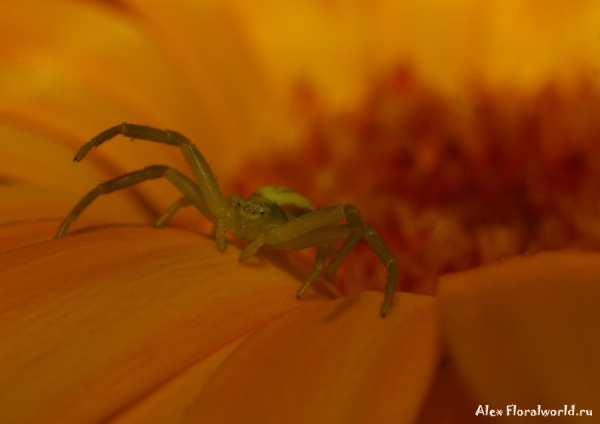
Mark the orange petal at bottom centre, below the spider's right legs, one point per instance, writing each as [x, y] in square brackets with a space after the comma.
[335, 362]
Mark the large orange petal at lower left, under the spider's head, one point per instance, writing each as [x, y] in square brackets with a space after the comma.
[92, 323]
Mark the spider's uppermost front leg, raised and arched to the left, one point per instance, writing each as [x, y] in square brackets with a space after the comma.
[207, 183]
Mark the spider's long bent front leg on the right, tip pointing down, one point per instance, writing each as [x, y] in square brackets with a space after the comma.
[316, 225]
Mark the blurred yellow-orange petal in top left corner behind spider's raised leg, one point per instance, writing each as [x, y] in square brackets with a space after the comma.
[73, 69]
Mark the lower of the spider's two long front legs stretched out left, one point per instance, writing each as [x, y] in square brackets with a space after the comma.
[180, 181]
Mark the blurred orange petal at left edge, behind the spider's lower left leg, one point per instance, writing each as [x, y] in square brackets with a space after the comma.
[39, 181]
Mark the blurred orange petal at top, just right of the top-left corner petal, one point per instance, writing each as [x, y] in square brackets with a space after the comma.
[235, 106]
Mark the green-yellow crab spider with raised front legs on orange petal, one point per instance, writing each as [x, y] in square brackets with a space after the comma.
[276, 216]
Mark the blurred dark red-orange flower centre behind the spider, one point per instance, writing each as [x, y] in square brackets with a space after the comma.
[452, 184]
